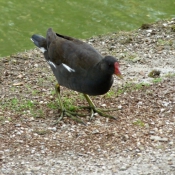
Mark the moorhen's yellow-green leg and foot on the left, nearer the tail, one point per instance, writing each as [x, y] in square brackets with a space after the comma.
[63, 110]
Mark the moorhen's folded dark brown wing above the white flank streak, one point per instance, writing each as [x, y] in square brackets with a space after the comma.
[72, 52]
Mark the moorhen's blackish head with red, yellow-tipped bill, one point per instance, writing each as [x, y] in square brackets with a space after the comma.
[111, 65]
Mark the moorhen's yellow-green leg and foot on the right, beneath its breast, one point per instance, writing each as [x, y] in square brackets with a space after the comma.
[94, 109]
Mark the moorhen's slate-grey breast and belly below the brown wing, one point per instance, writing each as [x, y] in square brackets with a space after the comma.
[83, 81]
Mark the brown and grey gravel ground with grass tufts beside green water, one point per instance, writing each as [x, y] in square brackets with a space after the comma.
[140, 141]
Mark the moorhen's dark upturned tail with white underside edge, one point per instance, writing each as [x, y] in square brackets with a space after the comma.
[40, 42]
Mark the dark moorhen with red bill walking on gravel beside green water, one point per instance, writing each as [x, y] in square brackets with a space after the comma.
[77, 66]
